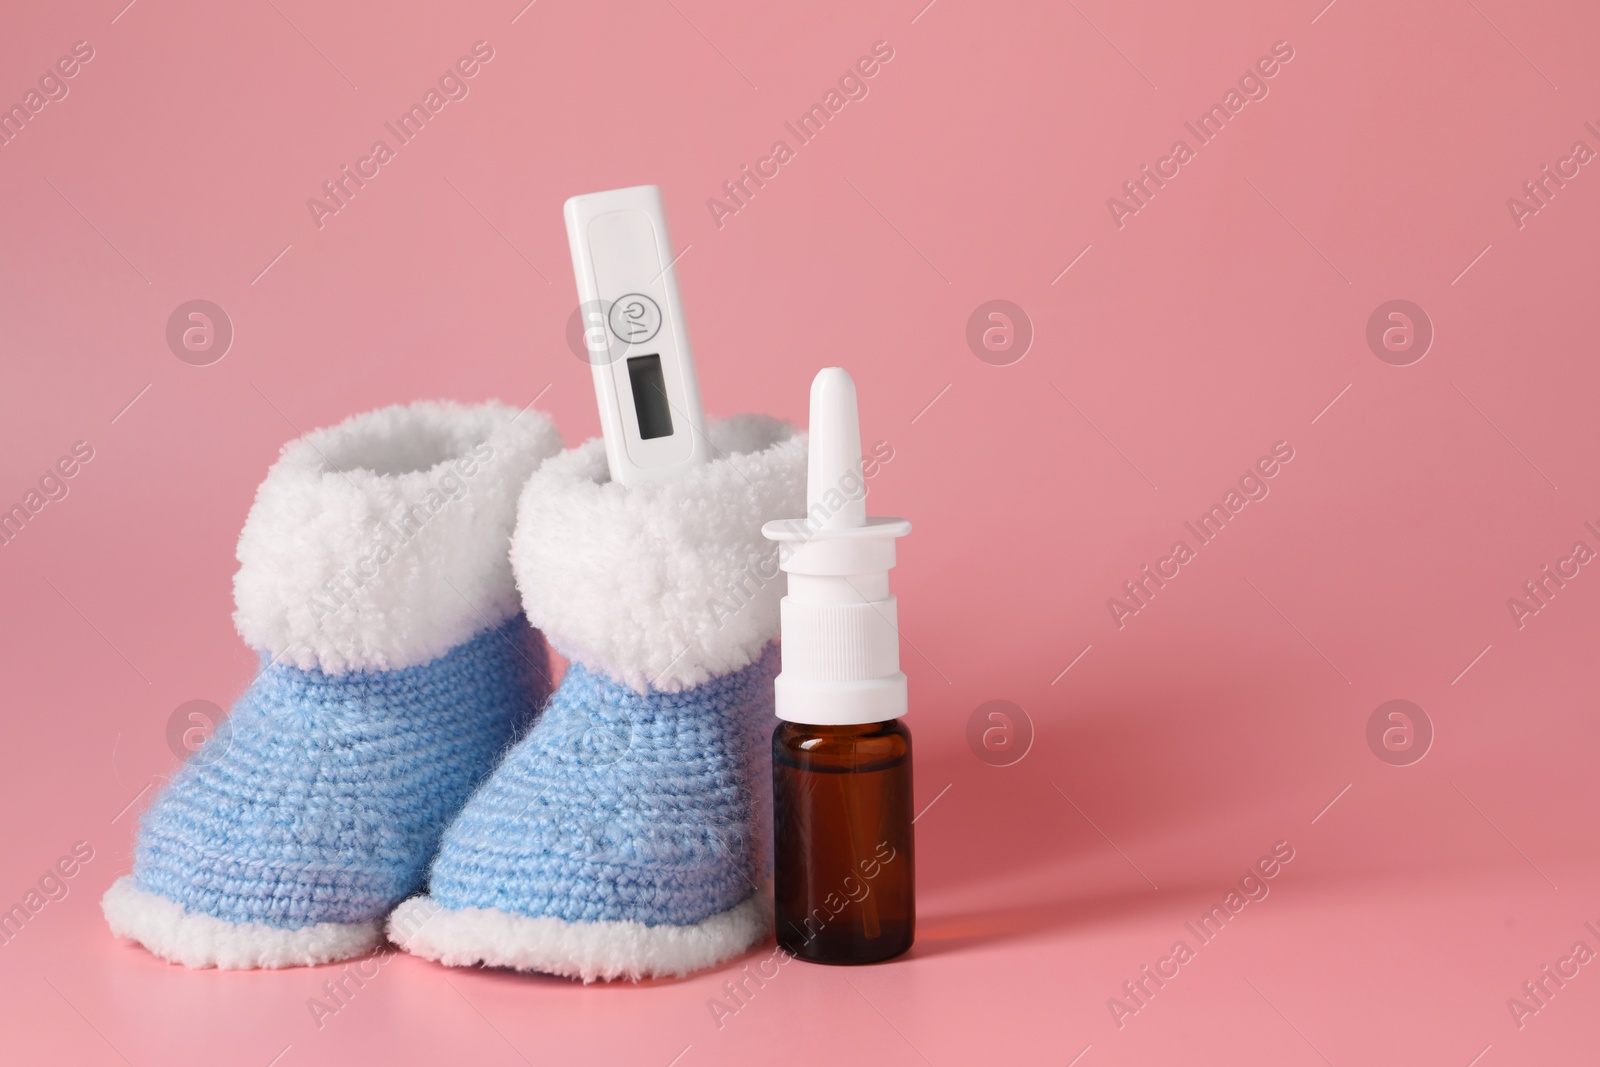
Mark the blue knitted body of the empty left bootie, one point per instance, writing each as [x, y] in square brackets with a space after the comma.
[334, 789]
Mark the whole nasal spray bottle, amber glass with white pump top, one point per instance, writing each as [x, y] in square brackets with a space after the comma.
[842, 799]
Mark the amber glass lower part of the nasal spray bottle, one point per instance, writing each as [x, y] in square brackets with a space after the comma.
[846, 874]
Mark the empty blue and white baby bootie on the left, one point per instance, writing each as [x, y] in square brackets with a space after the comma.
[396, 668]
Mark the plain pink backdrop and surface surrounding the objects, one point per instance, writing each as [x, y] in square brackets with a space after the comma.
[1175, 351]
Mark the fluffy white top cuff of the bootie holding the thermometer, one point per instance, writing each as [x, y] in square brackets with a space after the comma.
[662, 585]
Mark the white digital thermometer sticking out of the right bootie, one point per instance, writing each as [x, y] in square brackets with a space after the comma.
[634, 334]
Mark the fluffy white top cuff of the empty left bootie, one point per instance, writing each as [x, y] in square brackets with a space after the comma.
[380, 543]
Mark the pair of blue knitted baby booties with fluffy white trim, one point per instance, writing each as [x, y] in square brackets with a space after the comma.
[399, 764]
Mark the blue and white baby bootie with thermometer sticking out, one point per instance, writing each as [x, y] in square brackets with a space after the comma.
[628, 836]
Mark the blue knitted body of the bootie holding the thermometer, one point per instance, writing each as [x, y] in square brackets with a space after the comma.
[620, 805]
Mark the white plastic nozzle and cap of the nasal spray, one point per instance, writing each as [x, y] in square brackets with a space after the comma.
[841, 642]
